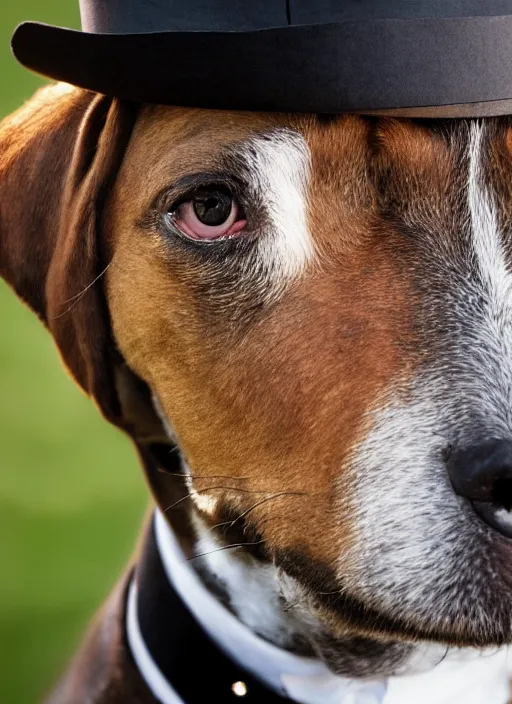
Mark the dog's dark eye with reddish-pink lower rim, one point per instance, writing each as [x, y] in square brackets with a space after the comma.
[211, 213]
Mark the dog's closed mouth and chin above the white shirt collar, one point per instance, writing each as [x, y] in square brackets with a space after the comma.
[355, 636]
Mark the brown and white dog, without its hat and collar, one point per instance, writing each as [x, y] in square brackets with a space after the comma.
[317, 358]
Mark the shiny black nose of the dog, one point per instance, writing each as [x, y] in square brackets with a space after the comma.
[483, 474]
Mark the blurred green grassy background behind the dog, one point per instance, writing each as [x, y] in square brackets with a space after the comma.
[71, 494]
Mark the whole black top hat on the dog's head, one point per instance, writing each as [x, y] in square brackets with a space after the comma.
[434, 58]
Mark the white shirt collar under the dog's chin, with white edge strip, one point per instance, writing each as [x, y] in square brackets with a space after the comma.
[468, 676]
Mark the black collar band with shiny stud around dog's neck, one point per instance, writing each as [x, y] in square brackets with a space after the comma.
[185, 658]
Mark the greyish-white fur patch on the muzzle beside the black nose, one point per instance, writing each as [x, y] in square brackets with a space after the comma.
[406, 515]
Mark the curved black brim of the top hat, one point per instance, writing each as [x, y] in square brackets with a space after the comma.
[418, 67]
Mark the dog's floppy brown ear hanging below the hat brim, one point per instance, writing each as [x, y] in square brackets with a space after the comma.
[59, 156]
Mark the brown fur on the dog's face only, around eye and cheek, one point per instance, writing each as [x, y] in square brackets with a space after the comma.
[253, 423]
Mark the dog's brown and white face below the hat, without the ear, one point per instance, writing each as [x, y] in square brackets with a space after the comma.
[322, 310]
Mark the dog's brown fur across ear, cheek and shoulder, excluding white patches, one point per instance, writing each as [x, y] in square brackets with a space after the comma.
[276, 399]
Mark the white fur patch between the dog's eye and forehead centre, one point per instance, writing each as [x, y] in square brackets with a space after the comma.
[279, 164]
